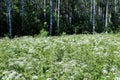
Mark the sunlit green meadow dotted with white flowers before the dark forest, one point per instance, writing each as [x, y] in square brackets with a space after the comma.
[75, 57]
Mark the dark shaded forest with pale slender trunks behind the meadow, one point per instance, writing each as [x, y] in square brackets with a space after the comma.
[29, 17]
